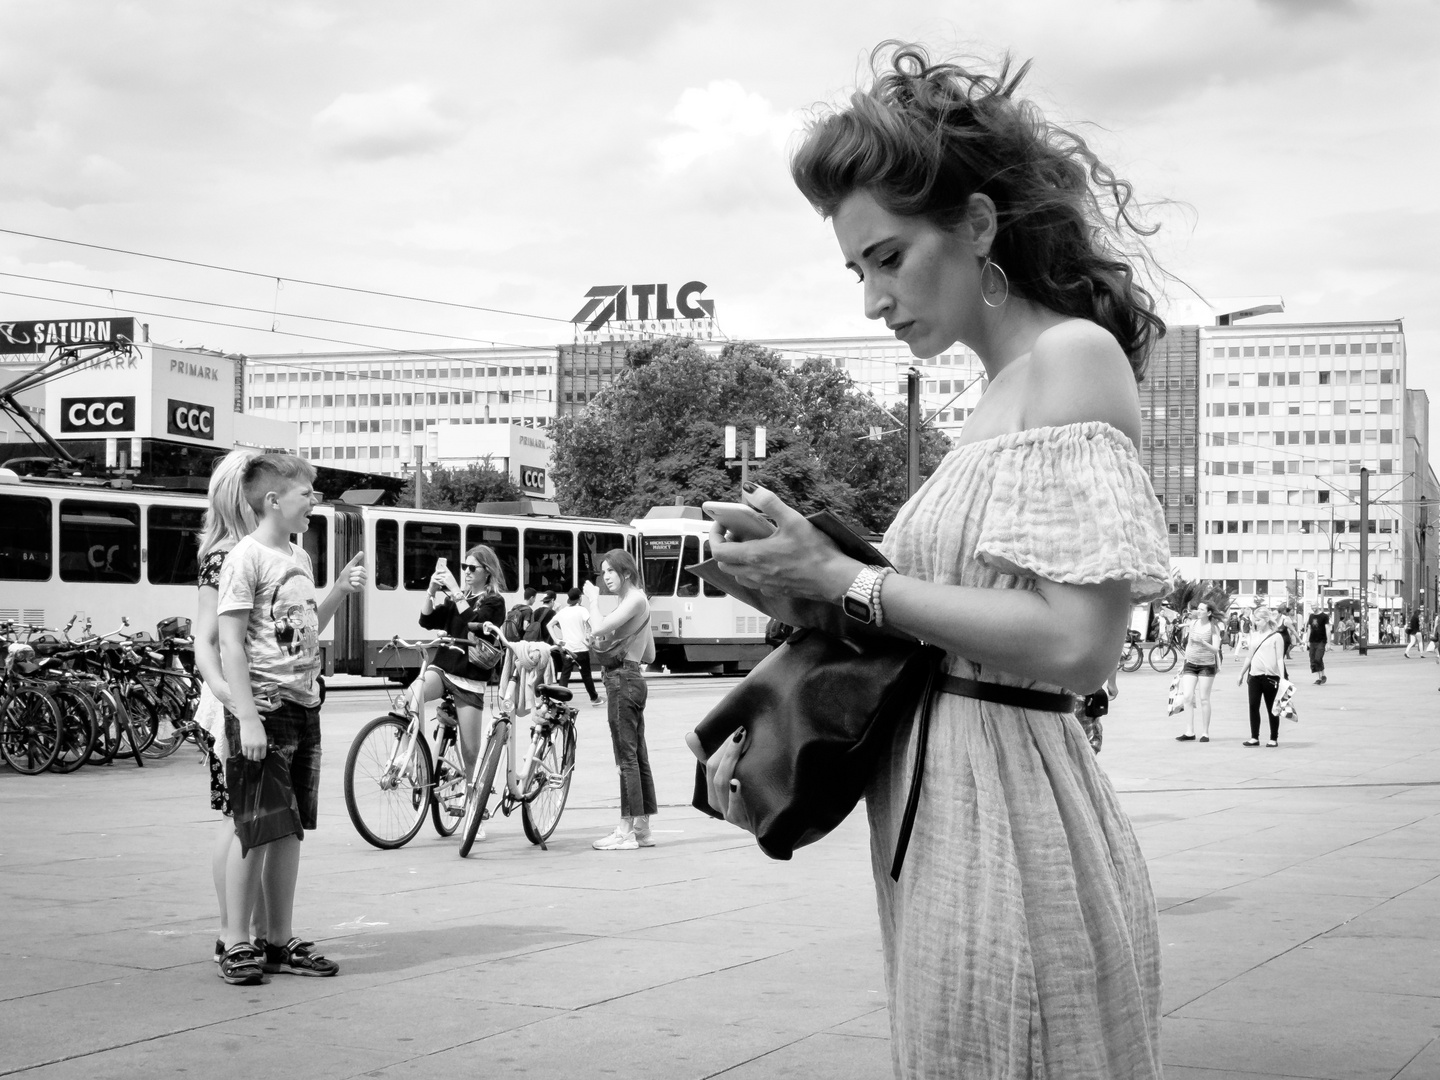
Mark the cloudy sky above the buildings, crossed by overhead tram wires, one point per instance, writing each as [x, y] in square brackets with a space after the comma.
[510, 156]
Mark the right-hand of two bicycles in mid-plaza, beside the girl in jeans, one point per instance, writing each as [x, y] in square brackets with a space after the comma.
[541, 786]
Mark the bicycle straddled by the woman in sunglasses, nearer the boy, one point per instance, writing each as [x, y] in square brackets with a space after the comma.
[391, 778]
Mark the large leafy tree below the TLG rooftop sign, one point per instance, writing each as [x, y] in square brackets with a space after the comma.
[657, 436]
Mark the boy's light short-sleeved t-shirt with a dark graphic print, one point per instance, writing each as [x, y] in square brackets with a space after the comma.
[283, 633]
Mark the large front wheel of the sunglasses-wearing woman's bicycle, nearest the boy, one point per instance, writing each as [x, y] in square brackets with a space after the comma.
[388, 797]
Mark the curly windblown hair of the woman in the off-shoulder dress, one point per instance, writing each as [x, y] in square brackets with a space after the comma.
[925, 138]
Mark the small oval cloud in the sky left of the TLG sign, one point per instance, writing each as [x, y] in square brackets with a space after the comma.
[401, 122]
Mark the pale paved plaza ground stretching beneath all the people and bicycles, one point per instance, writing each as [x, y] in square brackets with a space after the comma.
[1298, 891]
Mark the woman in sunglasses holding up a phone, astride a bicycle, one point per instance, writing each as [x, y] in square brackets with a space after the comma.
[462, 611]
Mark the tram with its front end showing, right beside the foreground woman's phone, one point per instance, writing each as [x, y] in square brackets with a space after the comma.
[696, 627]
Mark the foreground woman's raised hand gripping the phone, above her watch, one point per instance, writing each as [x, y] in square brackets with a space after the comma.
[796, 561]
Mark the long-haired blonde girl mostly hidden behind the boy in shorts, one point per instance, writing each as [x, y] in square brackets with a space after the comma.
[227, 521]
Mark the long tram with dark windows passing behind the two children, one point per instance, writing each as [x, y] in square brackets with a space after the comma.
[110, 549]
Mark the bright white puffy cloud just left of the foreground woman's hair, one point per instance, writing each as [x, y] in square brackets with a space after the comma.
[716, 120]
